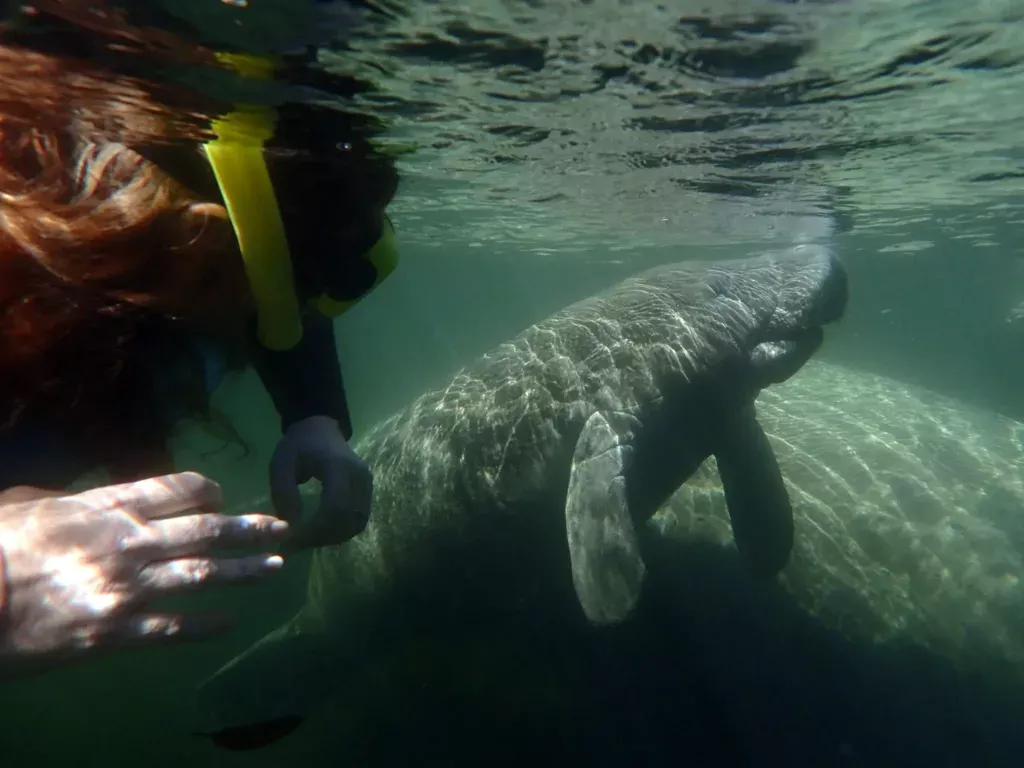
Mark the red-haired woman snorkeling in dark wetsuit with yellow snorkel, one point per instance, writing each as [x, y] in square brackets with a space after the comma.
[143, 254]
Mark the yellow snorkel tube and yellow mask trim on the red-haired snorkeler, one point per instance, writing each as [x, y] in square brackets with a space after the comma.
[237, 159]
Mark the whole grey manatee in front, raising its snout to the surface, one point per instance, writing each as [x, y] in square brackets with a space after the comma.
[526, 478]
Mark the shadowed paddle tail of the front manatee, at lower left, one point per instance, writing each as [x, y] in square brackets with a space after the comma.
[266, 693]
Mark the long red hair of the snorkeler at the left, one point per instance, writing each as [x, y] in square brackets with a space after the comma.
[106, 262]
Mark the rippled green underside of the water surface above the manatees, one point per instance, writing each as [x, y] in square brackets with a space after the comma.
[563, 124]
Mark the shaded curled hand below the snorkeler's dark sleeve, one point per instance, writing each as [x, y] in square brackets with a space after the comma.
[316, 448]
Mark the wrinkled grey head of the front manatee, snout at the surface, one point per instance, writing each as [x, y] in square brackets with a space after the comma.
[752, 322]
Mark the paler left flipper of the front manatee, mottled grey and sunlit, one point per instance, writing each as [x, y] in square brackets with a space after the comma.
[608, 570]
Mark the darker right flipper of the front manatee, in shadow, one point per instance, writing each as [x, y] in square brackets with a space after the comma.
[755, 493]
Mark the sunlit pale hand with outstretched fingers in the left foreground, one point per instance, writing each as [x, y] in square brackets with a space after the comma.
[76, 572]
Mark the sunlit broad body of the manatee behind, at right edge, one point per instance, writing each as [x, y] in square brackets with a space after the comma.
[910, 515]
